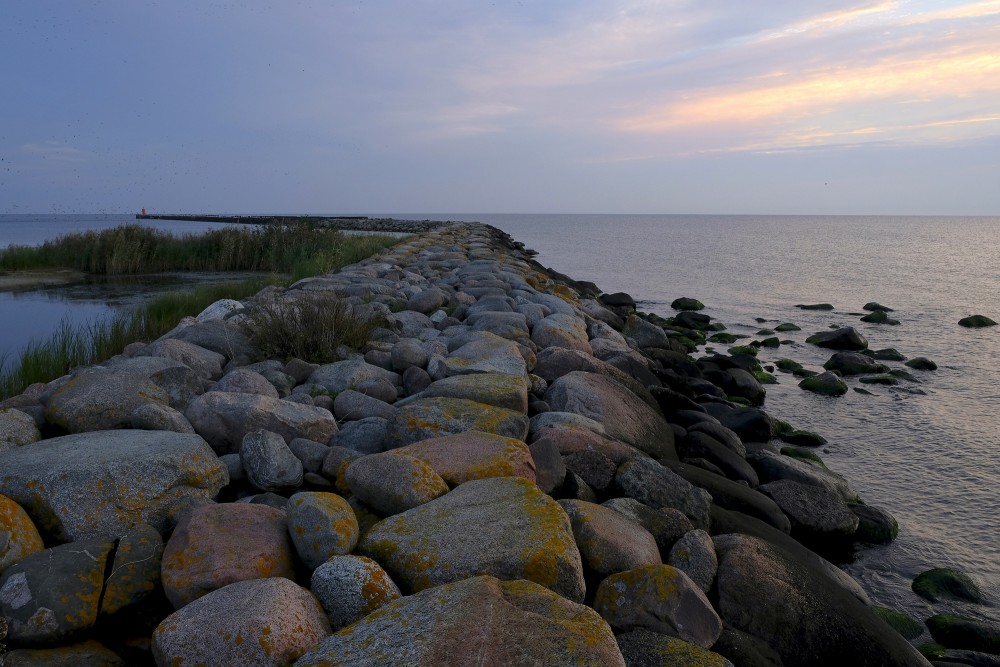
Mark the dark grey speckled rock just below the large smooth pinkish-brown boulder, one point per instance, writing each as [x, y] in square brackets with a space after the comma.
[652, 484]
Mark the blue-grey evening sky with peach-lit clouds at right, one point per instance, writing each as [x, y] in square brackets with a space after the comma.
[509, 106]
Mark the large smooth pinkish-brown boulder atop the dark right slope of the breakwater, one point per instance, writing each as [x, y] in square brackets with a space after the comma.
[625, 416]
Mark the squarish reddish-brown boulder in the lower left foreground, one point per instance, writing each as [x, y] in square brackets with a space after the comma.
[216, 545]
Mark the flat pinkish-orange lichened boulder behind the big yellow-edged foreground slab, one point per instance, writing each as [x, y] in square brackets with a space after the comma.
[473, 455]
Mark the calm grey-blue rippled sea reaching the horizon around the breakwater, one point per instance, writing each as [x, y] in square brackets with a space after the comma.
[926, 450]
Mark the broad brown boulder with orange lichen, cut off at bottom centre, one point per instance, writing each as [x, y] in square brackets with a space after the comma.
[474, 622]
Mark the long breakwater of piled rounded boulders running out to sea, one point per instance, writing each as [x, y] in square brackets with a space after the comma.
[515, 470]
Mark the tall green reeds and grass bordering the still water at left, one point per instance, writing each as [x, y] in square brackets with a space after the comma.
[301, 252]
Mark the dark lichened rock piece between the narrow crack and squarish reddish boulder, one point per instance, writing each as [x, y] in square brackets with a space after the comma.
[135, 572]
